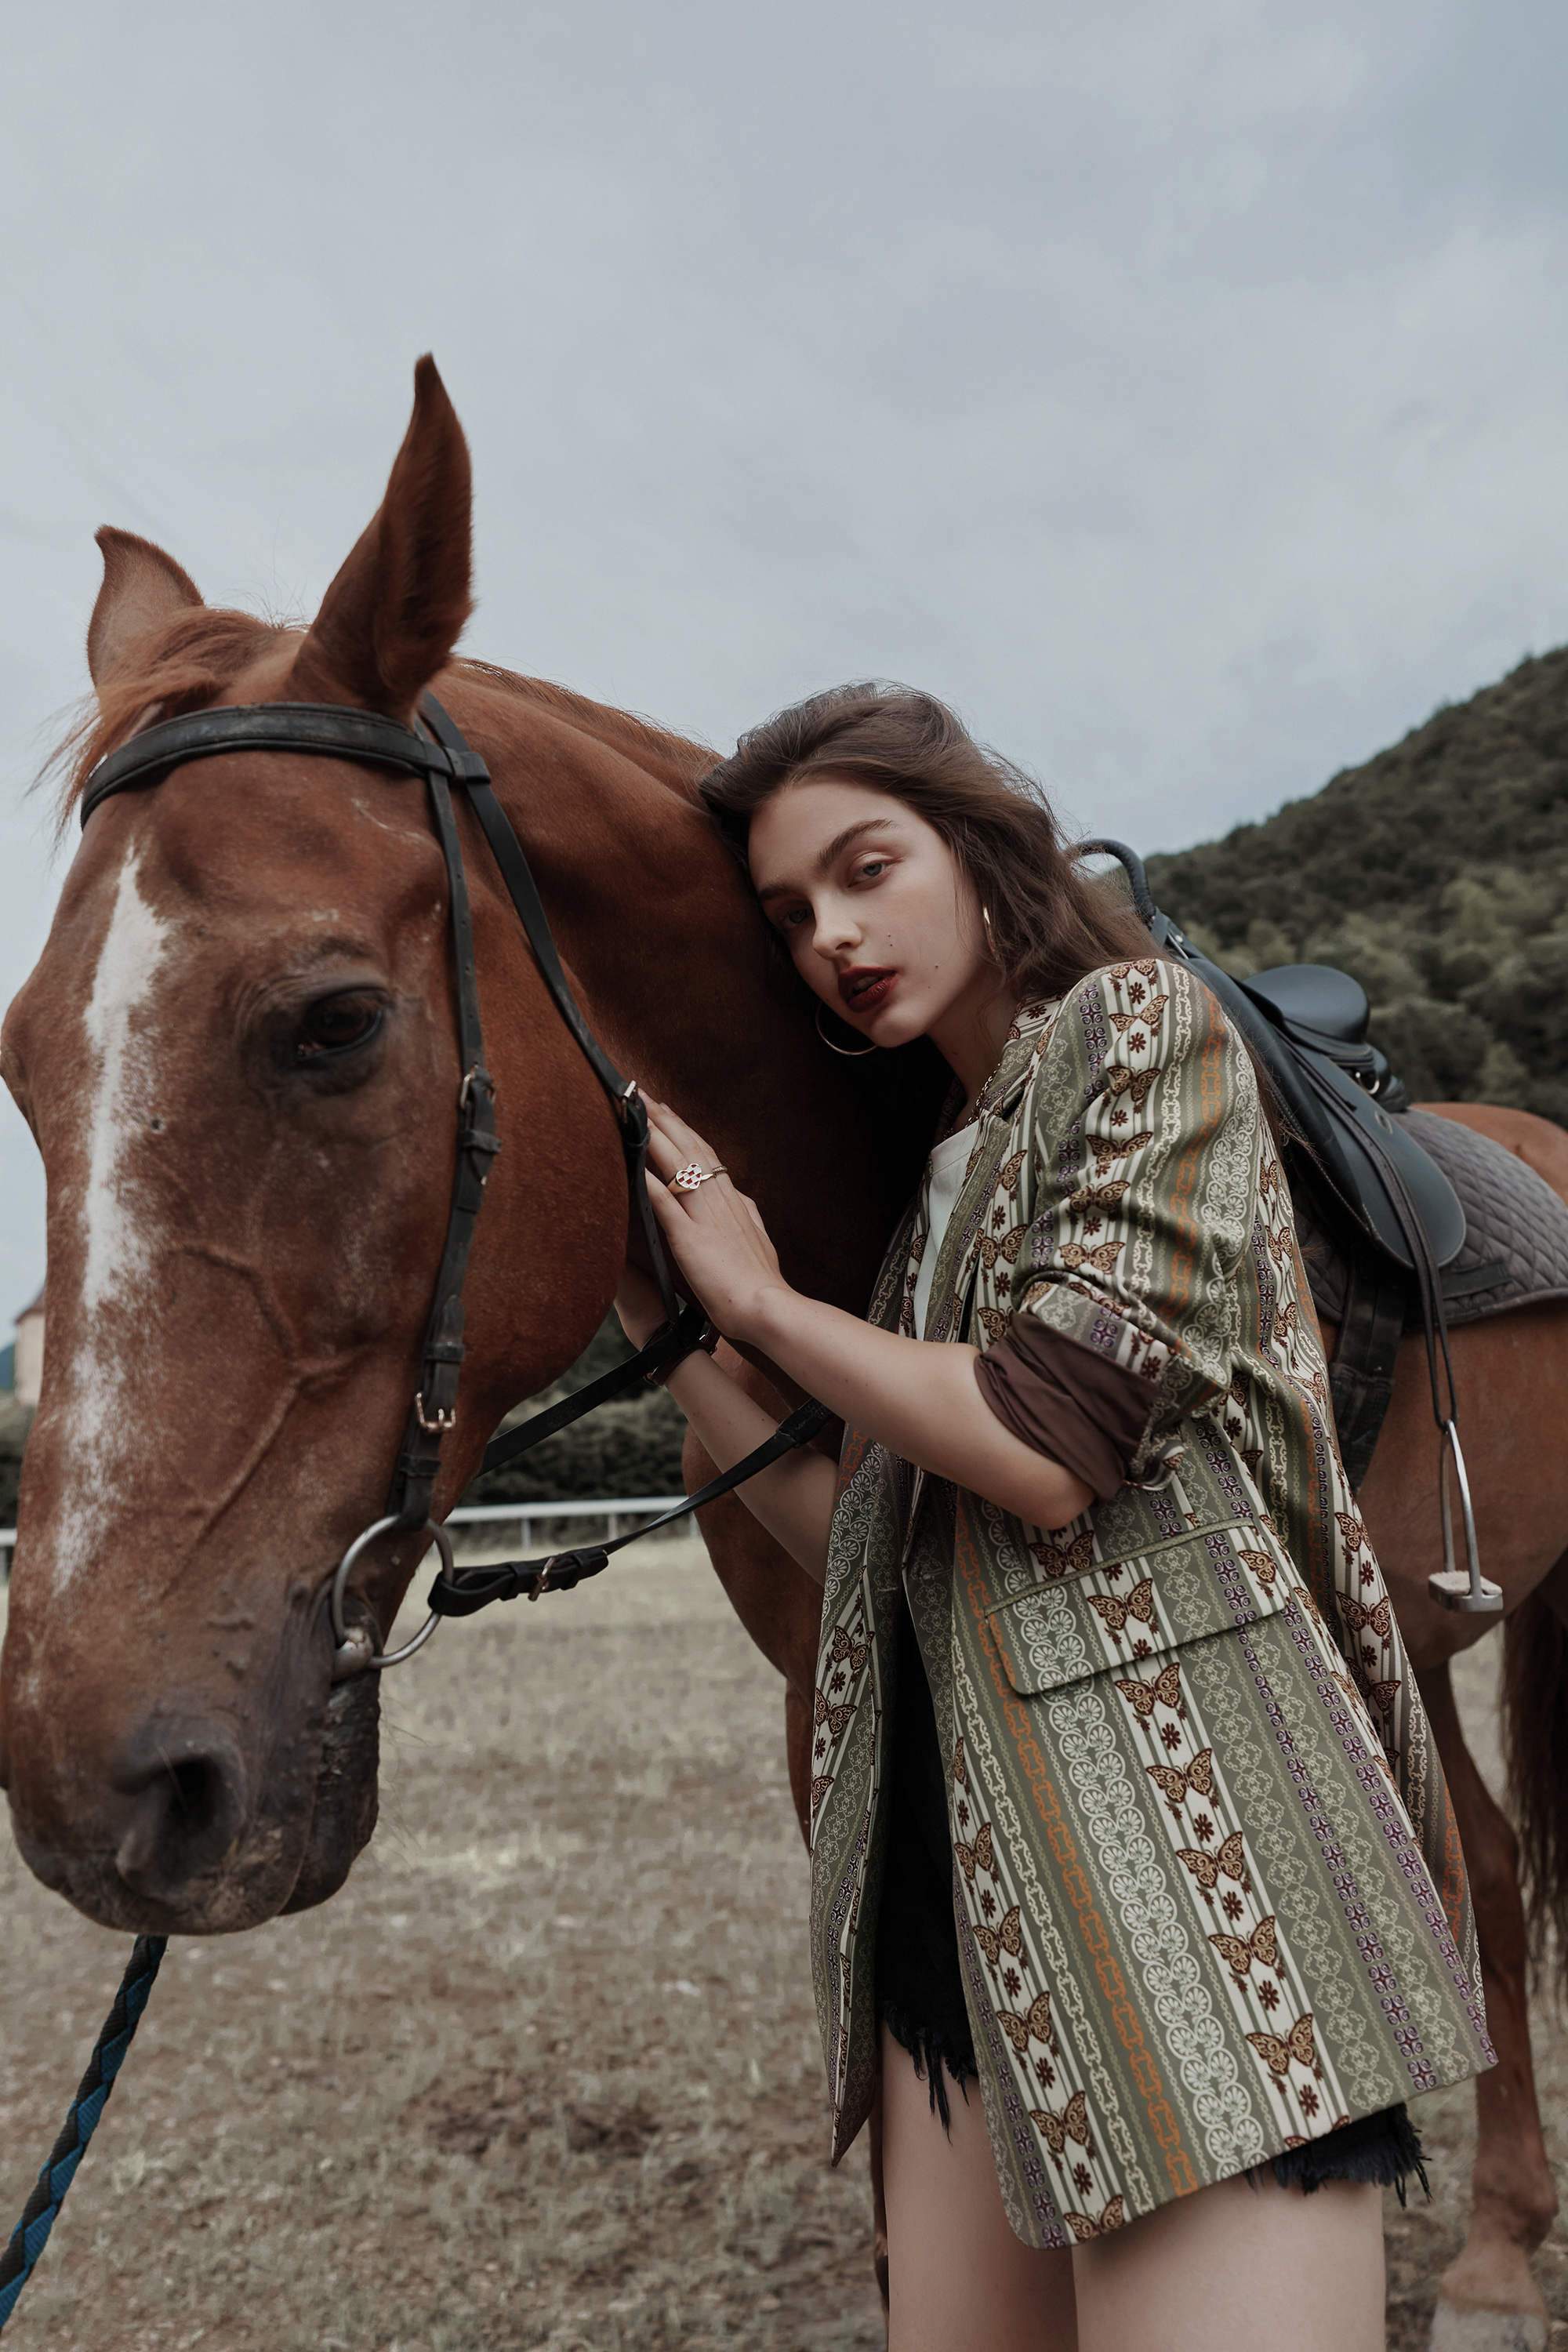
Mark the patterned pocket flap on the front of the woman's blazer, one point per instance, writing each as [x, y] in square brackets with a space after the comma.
[1132, 1610]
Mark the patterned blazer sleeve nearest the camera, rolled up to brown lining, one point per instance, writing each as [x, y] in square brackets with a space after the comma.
[1144, 1125]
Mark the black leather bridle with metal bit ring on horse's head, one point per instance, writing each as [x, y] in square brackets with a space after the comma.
[448, 763]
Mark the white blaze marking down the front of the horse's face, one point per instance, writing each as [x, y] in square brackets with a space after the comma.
[116, 1245]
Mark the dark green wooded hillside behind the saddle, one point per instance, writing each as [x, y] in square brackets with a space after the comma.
[1440, 876]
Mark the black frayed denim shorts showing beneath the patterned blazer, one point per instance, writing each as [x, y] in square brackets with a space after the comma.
[920, 1991]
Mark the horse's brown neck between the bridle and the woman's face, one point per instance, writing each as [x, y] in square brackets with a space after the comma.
[666, 956]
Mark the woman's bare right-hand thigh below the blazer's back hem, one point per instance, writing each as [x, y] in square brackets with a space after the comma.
[1240, 2266]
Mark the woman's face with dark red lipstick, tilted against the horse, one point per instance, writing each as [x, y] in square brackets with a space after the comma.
[859, 886]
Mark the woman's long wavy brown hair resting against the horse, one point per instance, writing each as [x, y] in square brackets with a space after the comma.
[1050, 918]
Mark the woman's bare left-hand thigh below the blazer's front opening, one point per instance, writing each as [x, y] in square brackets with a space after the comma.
[958, 2278]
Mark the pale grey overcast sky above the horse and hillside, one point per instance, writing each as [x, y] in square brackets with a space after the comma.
[1177, 387]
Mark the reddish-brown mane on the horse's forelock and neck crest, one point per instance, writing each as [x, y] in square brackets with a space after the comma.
[208, 648]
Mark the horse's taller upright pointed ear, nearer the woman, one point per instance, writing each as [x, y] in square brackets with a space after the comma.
[398, 606]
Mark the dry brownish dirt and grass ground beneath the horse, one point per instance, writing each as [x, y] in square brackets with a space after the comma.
[547, 2073]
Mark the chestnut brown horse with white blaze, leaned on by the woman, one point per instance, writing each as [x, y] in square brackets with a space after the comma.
[239, 1062]
